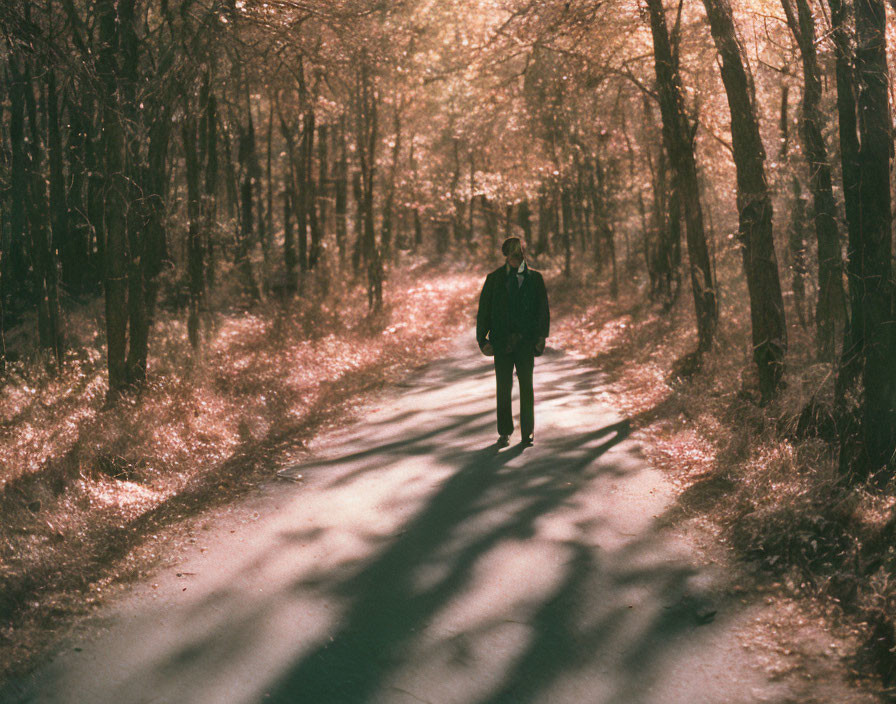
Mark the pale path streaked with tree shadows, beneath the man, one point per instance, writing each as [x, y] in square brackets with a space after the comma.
[410, 560]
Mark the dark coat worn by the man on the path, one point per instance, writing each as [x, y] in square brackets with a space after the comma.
[506, 323]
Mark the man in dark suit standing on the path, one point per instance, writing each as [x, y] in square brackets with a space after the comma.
[512, 324]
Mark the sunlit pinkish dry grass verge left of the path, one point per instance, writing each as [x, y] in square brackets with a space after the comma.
[82, 485]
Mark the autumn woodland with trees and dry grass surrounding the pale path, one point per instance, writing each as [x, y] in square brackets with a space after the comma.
[223, 220]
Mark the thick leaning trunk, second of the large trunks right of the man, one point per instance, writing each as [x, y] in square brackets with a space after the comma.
[753, 203]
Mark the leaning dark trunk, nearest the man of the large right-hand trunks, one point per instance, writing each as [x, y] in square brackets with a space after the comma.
[678, 138]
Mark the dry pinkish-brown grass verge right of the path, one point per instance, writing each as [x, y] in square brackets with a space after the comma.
[764, 477]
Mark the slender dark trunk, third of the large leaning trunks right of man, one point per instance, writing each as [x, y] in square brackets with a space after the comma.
[830, 312]
